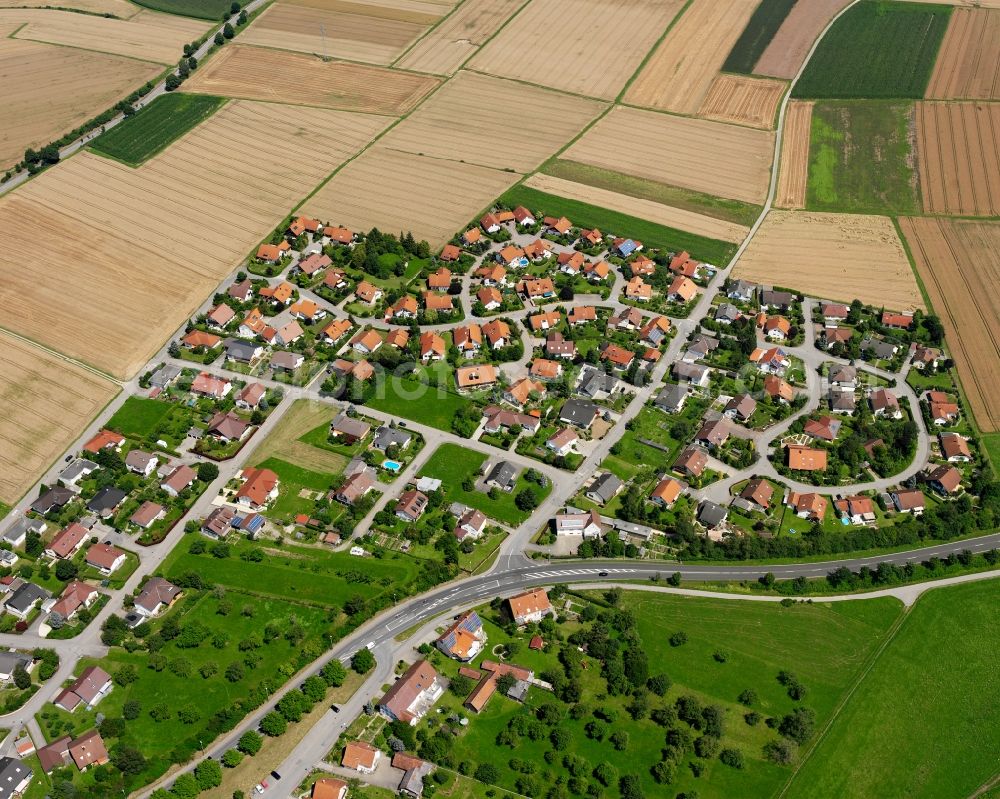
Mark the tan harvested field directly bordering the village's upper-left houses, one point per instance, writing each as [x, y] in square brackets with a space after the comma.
[431, 197]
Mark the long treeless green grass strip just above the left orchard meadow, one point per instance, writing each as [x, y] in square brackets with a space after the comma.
[309, 575]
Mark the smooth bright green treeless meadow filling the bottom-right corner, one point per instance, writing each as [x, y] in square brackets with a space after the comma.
[921, 720]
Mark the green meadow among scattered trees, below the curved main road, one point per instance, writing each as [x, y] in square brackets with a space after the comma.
[825, 646]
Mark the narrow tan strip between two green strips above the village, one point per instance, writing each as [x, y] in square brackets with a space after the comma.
[677, 218]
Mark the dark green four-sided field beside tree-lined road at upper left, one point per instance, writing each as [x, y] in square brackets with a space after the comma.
[161, 122]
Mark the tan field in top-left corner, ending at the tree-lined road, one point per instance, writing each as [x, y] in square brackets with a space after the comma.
[146, 36]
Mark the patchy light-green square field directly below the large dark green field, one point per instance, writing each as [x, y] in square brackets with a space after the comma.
[862, 158]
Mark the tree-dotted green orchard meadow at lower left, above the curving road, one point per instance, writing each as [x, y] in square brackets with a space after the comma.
[188, 690]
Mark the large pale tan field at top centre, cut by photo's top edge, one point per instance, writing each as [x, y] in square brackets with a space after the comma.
[589, 47]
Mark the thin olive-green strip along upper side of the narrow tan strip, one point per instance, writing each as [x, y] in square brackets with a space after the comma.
[645, 189]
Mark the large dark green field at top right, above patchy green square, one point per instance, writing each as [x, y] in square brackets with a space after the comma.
[876, 50]
